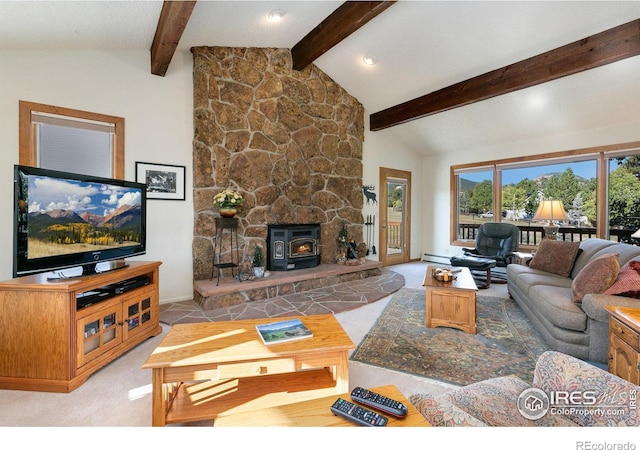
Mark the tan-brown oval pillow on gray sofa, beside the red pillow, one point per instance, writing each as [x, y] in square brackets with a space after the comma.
[596, 277]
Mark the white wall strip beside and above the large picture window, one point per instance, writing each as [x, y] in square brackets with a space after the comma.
[436, 170]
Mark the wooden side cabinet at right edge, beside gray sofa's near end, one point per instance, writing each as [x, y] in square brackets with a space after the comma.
[624, 342]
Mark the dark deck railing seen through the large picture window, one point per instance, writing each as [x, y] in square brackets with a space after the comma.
[532, 235]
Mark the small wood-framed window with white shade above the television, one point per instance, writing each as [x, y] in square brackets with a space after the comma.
[71, 140]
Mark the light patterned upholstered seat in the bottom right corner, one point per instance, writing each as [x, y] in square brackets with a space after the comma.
[499, 401]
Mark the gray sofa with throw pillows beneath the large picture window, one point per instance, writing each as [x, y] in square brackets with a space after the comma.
[579, 329]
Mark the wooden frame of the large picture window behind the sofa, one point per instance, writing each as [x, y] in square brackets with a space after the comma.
[600, 154]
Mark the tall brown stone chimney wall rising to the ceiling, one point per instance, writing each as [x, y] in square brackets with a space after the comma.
[289, 141]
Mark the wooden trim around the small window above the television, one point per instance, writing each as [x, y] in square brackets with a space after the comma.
[27, 149]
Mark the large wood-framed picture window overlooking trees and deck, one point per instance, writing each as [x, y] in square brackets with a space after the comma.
[599, 188]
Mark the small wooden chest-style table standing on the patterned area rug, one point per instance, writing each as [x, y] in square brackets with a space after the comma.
[451, 304]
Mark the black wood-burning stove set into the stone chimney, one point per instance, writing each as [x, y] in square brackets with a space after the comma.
[293, 246]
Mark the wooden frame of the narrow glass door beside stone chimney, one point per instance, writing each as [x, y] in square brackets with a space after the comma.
[405, 254]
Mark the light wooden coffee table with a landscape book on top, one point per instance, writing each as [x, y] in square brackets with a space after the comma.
[203, 370]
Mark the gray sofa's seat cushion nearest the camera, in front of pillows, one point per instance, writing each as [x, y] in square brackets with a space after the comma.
[556, 305]
